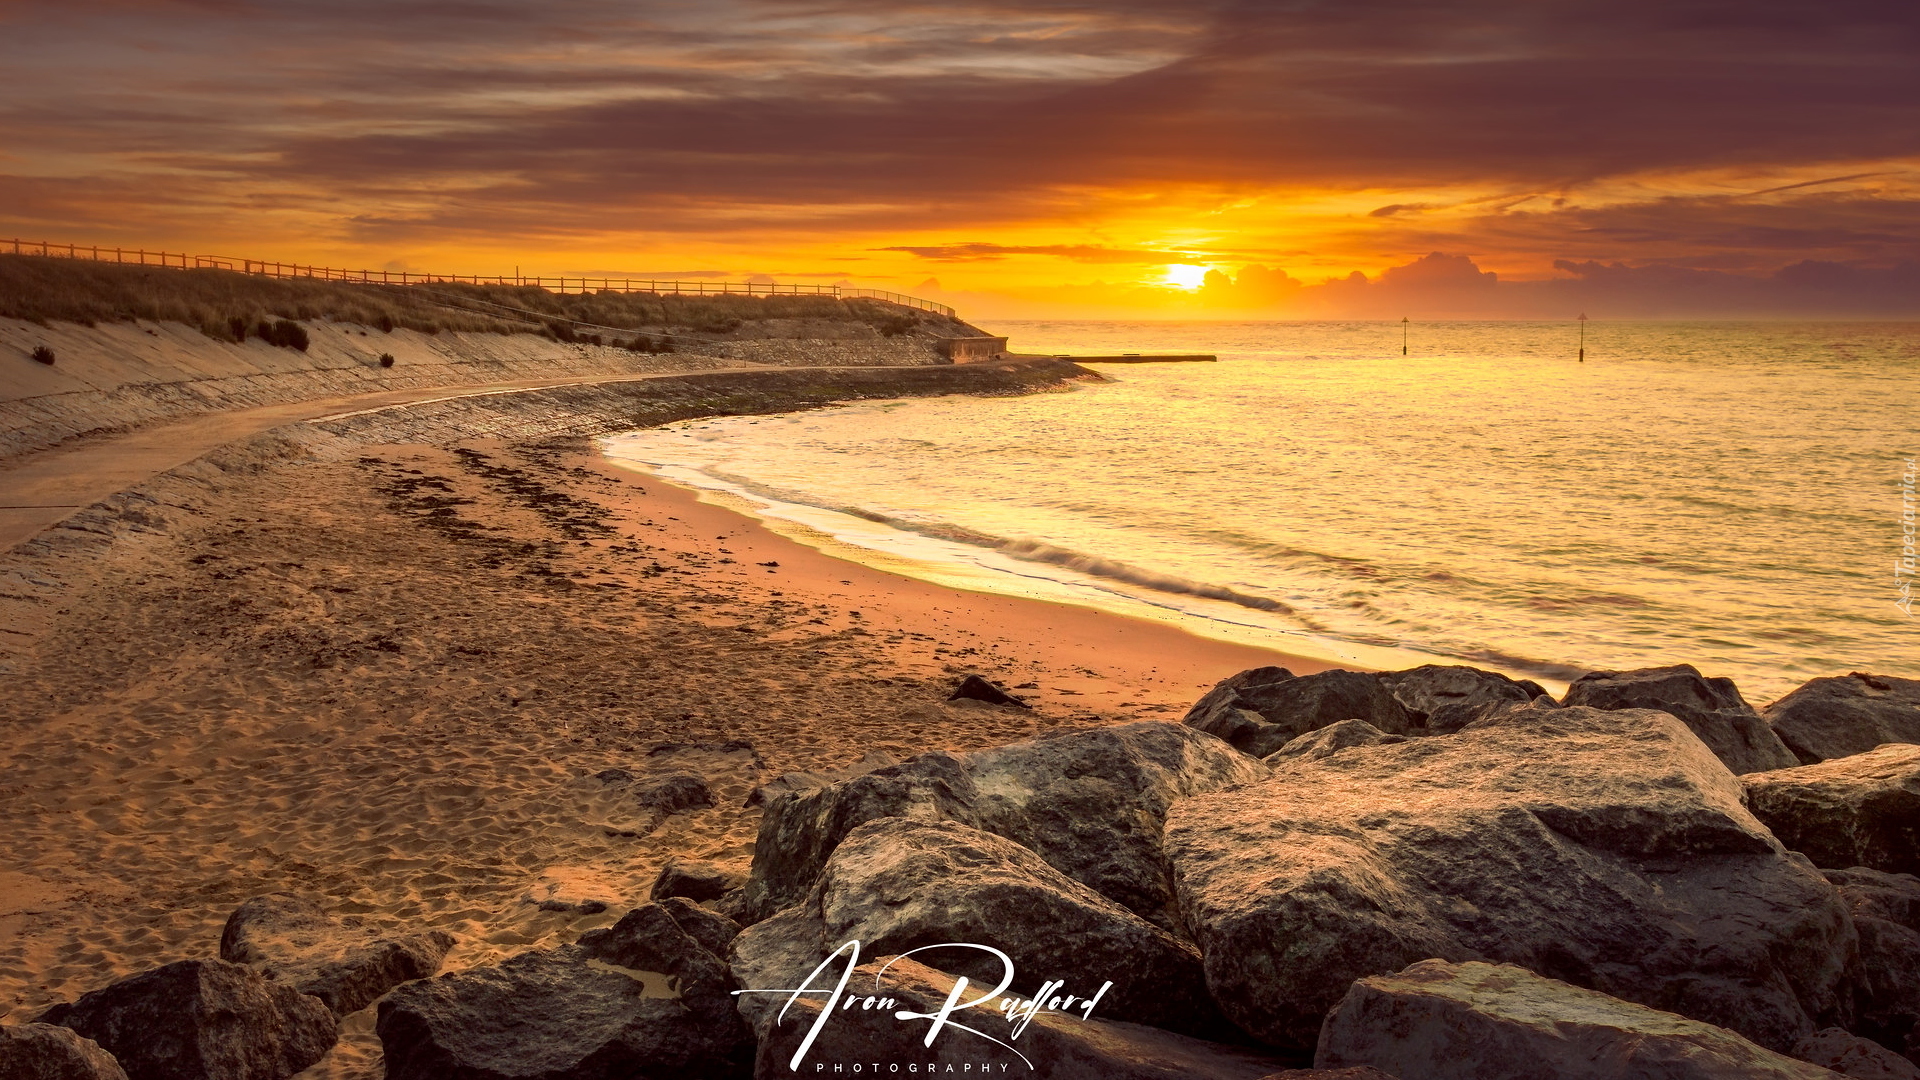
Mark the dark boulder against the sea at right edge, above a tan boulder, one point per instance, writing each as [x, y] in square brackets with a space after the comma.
[1844, 716]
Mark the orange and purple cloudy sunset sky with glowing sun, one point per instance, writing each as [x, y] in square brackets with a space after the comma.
[1291, 159]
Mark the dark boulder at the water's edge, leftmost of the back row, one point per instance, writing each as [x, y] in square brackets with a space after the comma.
[1266, 708]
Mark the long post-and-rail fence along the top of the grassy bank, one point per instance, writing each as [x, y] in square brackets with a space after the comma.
[139, 257]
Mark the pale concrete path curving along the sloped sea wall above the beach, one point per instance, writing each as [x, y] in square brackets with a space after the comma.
[45, 489]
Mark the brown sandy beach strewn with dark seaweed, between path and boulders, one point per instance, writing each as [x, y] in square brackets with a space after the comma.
[420, 685]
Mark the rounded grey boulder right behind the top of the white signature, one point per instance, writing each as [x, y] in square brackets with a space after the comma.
[901, 885]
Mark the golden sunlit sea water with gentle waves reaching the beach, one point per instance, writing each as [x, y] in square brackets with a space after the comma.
[1723, 495]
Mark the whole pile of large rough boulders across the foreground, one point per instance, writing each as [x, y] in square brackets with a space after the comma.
[1426, 875]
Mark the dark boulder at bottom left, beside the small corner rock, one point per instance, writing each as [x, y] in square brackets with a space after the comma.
[203, 1021]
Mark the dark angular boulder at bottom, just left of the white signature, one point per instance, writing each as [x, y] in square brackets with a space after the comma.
[640, 1000]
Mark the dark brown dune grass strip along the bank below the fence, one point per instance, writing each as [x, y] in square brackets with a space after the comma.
[229, 307]
